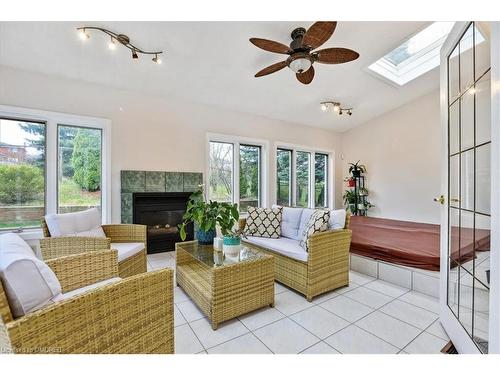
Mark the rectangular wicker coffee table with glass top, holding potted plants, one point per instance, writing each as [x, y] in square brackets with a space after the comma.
[224, 287]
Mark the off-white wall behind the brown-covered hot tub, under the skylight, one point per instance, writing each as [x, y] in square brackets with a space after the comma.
[401, 150]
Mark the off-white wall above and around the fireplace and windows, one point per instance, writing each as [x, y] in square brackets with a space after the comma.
[153, 133]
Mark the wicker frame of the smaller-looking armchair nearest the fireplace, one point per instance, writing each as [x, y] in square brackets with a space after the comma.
[55, 247]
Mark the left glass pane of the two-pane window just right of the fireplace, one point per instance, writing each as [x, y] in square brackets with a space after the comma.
[220, 187]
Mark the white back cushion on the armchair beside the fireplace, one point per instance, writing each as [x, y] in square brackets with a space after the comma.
[75, 223]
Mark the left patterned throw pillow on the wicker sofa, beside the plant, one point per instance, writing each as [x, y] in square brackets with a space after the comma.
[264, 222]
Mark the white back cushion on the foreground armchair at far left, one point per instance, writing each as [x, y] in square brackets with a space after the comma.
[29, 283]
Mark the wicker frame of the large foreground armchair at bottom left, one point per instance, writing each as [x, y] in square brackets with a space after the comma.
[134, 315]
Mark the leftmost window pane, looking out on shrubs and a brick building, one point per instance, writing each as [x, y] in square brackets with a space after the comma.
[22, 173]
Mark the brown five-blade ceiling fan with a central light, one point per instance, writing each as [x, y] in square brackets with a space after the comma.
[301, 55]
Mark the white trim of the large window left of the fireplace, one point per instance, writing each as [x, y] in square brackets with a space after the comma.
[52, 120]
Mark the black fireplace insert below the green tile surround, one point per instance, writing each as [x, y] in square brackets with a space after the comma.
[161, 213]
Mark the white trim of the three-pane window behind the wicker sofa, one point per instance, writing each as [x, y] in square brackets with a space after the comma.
[313, 151]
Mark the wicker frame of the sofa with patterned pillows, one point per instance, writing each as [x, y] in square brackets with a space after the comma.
[327, 266]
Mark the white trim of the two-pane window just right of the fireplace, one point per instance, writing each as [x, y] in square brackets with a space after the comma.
[236, 141]
